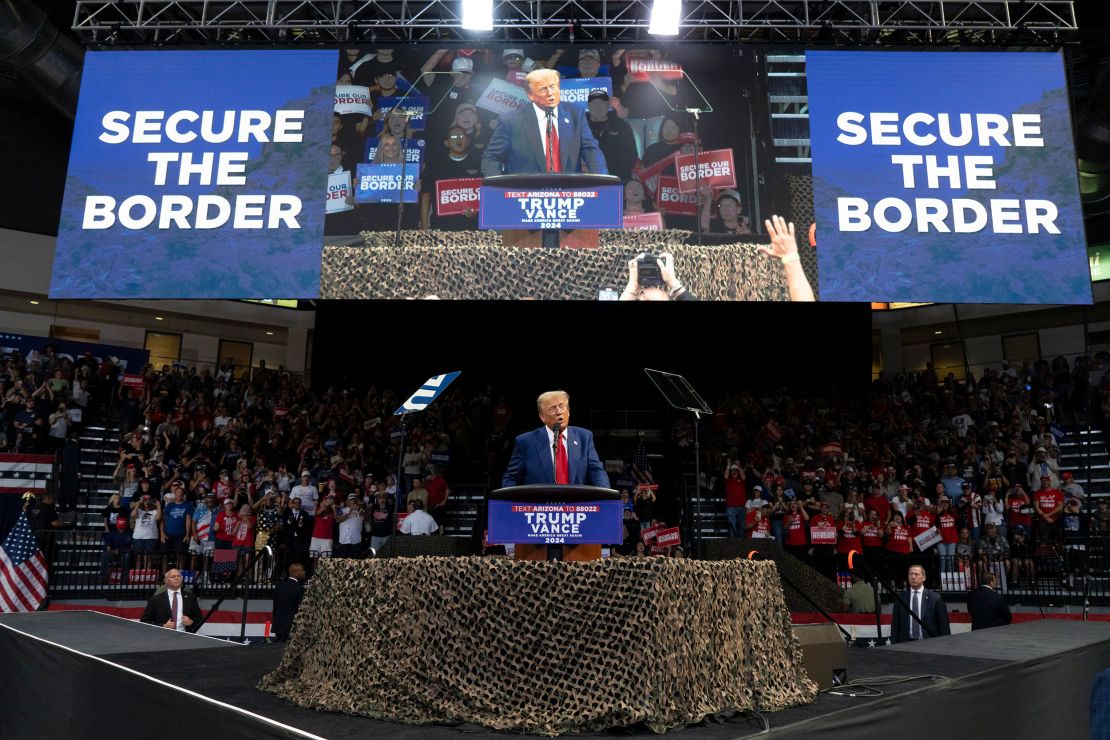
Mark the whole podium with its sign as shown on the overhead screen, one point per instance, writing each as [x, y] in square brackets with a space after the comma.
[581, 205]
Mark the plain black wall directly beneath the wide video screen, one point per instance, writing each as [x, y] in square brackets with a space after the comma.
[596, 351]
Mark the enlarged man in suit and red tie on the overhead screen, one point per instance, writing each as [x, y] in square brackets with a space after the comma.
[521, 144]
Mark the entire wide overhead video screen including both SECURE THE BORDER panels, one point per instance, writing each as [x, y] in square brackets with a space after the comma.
[665, 173]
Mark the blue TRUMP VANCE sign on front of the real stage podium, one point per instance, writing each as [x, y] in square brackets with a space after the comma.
[586, 523]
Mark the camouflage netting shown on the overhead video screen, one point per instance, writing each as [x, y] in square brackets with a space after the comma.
[475, 265]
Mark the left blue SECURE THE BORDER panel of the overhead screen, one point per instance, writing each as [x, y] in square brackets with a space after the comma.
[199, 164]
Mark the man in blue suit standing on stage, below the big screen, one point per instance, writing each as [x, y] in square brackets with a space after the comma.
[537, 460]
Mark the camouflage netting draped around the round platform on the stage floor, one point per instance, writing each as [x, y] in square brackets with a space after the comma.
[544, 648]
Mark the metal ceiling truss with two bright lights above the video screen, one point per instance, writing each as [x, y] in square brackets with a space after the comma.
[853, 23]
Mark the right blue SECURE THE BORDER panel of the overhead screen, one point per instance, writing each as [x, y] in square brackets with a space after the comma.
[933, 169]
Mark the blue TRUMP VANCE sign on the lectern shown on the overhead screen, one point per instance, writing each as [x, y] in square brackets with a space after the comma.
[593, 208]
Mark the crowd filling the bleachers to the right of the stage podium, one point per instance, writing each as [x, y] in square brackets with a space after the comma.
[962, 478]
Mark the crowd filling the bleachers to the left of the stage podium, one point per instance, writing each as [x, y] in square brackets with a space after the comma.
[237, 461]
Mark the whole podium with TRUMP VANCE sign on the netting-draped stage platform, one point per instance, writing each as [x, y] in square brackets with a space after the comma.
[550, 522]
